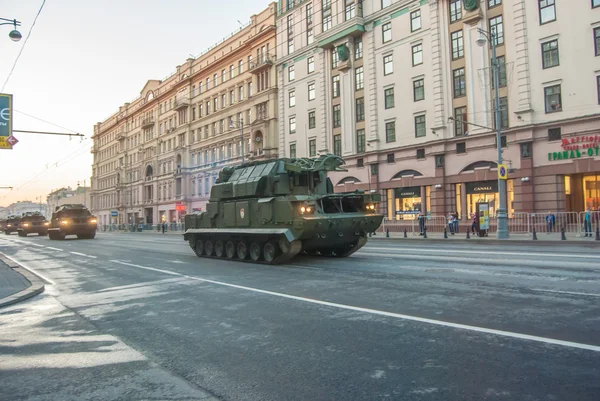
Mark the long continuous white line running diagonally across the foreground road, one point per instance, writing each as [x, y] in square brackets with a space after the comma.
[502, 333]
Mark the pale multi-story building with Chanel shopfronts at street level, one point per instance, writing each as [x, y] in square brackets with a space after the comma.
[404, 93]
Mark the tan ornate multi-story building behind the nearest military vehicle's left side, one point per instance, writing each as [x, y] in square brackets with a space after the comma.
[158, 156]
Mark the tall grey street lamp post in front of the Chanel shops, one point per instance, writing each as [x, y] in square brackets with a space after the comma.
[502, 229]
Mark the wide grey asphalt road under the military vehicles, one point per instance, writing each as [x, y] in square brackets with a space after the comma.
[396, 321]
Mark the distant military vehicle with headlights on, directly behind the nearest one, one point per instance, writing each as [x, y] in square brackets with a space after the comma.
[72, 219]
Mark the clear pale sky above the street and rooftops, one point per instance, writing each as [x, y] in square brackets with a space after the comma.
[83, 60]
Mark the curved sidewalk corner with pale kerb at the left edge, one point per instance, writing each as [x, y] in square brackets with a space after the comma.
[16, 283]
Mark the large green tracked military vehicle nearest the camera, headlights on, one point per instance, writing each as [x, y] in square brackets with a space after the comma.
[269, 211]
